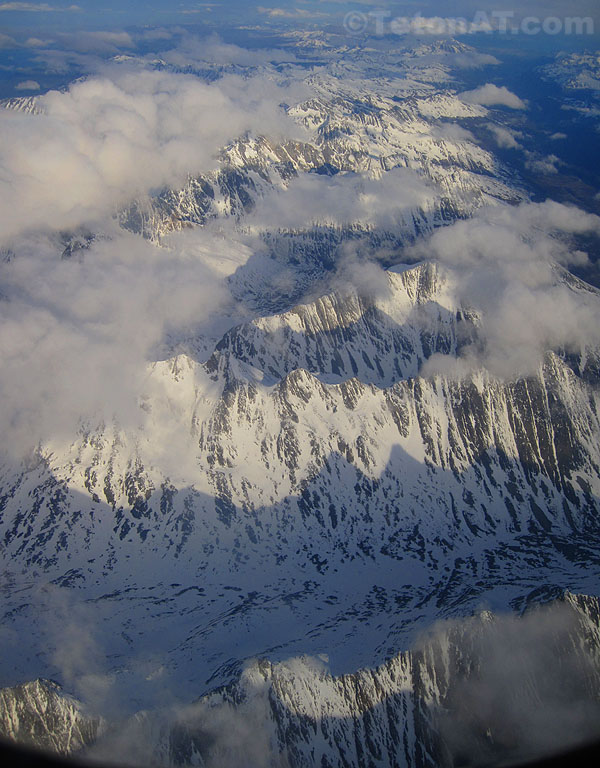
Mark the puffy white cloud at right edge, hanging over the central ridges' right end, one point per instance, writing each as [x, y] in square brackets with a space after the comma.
[501, 263]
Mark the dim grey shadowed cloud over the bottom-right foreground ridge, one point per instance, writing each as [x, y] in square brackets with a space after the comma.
[529, 695]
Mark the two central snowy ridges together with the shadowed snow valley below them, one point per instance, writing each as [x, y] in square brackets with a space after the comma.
[317, 484]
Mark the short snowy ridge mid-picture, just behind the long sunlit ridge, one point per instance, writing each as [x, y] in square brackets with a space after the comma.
[379, 339]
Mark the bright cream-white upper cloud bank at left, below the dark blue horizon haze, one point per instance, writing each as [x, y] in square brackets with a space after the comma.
[109, 139]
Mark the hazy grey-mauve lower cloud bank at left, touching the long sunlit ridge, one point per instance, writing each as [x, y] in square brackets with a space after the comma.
[77, 335]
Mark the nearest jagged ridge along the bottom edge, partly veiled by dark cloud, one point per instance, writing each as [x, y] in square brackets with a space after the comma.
[481, 691]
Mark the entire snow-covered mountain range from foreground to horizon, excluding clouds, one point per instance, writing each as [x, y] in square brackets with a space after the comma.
[311, 477]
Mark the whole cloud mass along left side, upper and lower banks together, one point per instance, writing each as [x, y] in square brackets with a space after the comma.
[76, 336]
